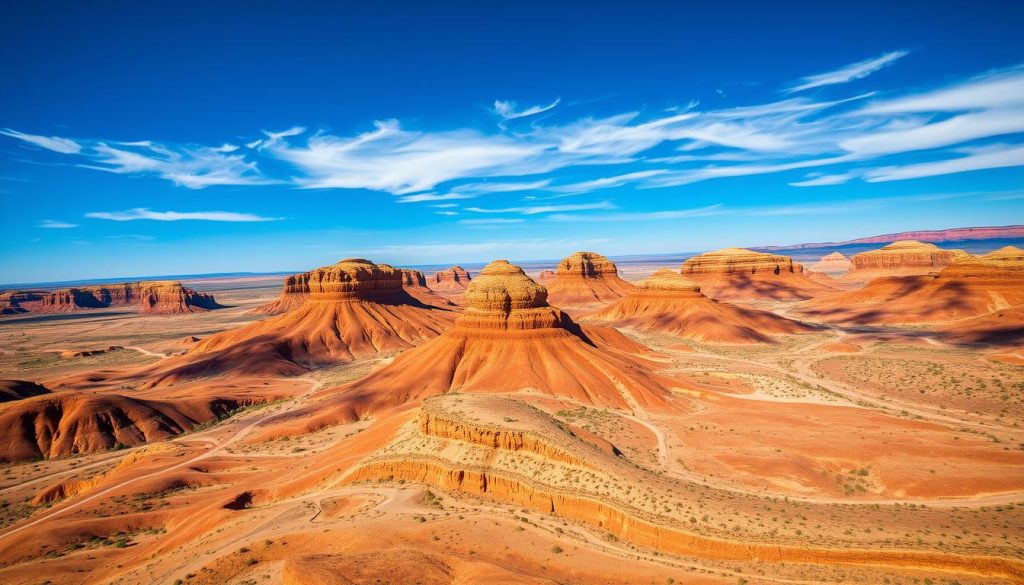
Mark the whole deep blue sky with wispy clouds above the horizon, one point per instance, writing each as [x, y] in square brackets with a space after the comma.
[260, 137]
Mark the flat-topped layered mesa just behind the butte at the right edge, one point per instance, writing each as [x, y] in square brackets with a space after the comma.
[908, 258]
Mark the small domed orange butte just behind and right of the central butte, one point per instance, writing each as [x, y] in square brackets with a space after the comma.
[586, 279]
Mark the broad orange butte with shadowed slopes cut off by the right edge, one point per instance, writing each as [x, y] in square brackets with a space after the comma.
[969, 287]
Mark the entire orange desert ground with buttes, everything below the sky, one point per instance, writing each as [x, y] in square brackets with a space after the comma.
[736, 419]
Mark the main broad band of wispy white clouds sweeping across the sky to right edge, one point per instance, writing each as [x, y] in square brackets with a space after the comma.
[650, 150]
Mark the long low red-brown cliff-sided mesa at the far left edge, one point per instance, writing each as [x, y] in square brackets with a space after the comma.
[153, 298]
